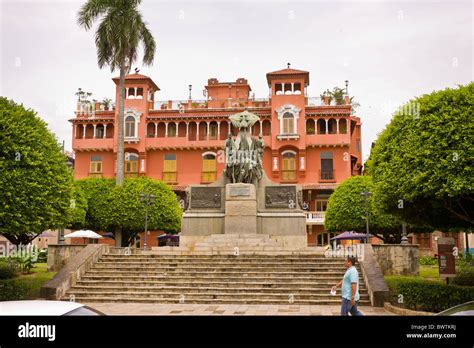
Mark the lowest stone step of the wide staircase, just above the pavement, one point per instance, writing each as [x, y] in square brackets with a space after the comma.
[124, 299]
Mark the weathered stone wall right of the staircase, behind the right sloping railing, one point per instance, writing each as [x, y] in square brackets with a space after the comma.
[397, 259]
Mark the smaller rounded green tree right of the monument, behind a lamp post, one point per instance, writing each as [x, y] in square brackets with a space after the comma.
[346, 211]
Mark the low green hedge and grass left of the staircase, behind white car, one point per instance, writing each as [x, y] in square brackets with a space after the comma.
[26, 286]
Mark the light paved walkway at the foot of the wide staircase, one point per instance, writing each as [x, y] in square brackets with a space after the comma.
[226, 309]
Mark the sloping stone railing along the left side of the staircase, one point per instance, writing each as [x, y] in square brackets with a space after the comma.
[56, 288]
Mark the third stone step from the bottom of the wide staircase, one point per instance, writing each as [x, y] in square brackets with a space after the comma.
[248, 285]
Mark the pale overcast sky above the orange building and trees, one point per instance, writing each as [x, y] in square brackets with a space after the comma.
[389, 51]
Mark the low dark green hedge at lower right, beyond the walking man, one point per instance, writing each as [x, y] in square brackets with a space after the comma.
[431, 296]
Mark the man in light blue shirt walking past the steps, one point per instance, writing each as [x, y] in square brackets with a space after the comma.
[350, 288]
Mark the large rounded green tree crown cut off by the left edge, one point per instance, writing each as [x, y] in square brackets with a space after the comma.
[35, 183]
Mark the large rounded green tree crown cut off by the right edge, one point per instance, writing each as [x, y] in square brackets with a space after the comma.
[423, 162]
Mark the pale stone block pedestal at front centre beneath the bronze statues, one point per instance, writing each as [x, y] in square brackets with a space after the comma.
[240, 209]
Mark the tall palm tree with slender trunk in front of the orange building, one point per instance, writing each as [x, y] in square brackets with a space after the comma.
[118, 37]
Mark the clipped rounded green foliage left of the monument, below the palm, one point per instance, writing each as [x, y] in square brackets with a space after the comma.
[113, 208]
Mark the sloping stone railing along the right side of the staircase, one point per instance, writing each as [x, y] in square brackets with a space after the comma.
[379, 292]
